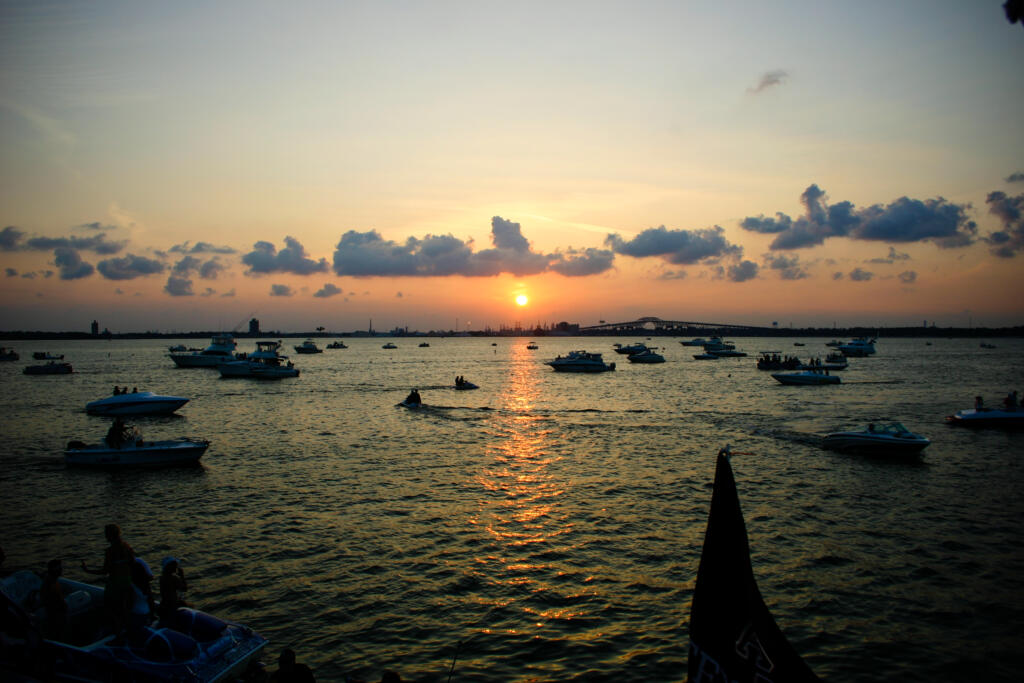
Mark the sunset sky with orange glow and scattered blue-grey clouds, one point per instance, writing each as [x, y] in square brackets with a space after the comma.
[191, 165]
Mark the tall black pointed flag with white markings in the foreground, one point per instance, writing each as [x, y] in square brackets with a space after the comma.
[734, 636]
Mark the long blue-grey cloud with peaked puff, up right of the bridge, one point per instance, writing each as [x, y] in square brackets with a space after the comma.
[937, 221]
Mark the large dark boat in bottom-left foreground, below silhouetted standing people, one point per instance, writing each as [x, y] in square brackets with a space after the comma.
[190, 647]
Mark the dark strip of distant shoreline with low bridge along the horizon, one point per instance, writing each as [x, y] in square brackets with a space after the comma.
[833, 333]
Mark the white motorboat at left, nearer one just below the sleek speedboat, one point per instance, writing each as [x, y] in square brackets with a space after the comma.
[137, 452]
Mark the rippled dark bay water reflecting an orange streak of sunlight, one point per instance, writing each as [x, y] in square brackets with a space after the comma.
[546, 527]
